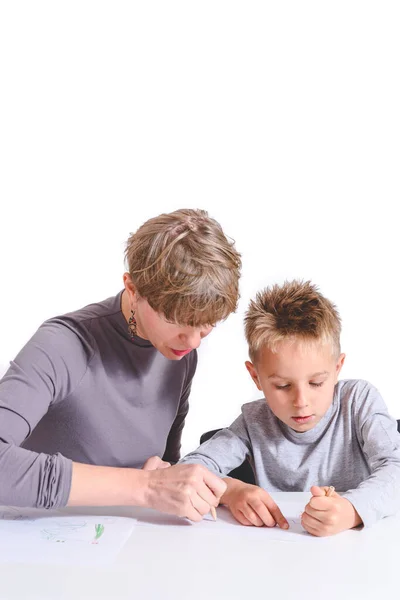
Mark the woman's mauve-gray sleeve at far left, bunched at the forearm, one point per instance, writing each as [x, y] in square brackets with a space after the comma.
[45, 371]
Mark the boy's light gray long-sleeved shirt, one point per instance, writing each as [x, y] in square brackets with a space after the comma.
[355, 447]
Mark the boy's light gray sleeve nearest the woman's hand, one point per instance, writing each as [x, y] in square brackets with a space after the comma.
[225, 451]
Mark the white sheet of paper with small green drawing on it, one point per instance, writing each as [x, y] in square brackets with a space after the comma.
[56, 537]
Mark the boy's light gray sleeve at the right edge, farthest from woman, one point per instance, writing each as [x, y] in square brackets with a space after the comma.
[379, 495]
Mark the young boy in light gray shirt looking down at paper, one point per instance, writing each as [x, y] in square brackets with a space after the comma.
[310, 430]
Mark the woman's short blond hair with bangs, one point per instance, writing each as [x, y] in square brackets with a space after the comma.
[185, 267]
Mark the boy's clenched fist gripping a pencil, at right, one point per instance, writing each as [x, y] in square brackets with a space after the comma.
[325, 515]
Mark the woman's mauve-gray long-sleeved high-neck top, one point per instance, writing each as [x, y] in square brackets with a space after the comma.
[81, 390]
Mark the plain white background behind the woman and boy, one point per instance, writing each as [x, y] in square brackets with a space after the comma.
[279, 118]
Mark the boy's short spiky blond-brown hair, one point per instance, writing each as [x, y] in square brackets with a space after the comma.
[295, 310]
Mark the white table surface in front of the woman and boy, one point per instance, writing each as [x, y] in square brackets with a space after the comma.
[167, 558]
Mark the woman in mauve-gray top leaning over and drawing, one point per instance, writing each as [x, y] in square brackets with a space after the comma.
[97, 396]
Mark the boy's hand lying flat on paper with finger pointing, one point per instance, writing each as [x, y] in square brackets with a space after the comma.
[251, 505]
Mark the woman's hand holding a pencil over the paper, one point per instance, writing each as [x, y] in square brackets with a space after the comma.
[183, 490]
